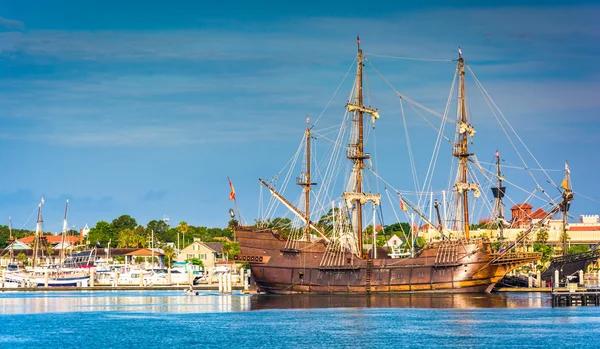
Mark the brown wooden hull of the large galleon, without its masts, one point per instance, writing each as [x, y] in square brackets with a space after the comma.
[447, 266]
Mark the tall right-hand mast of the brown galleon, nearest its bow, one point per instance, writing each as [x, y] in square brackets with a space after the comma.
[461, 151]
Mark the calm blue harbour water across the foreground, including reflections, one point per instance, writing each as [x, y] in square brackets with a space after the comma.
[171, 319]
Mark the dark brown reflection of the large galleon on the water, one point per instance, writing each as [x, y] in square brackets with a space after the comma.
[454, 301]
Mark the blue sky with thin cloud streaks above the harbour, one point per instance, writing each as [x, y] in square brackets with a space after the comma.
[145, 108]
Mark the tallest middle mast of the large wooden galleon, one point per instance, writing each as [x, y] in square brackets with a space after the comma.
[356, 152]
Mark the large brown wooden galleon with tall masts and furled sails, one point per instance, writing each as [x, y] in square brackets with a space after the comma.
[318, 260]
